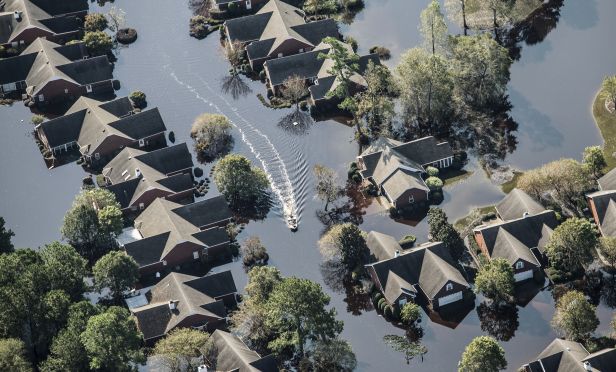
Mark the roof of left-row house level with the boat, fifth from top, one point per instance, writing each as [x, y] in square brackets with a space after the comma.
[166, 224]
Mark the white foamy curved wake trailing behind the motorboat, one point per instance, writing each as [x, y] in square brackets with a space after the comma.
[261, 147]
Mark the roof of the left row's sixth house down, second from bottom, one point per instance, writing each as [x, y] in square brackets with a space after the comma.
[193, 296]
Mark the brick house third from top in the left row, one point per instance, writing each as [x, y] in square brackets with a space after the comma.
[100, 130]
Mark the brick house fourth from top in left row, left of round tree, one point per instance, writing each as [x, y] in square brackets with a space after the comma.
[137, 178]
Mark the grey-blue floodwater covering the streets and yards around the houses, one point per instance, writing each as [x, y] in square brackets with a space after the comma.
[183, 76]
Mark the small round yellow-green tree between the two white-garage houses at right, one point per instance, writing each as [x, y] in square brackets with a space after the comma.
[495, 280]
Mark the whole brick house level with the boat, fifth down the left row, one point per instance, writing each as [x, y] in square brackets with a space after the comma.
[168, 235]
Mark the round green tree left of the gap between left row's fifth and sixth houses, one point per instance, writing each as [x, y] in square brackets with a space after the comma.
[116, 271]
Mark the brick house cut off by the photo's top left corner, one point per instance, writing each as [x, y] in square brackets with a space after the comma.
[23, 21]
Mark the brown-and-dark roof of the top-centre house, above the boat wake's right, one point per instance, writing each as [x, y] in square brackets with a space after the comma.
[275, 23]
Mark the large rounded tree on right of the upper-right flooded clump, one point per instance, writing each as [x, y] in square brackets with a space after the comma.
[481, 70]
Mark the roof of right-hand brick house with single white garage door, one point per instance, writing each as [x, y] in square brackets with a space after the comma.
[514, 239]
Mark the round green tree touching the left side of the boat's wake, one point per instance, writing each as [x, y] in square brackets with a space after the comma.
[245, 187]
